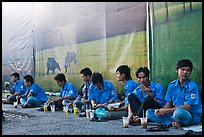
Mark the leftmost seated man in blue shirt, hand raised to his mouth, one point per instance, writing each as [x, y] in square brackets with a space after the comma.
[18, 88]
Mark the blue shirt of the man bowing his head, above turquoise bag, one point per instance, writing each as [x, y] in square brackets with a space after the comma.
[103, 95]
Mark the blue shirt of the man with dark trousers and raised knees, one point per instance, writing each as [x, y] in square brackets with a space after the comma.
[157, 91]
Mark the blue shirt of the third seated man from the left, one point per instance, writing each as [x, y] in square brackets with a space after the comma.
[68, 90]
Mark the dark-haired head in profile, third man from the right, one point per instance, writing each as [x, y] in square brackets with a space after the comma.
[123, 73]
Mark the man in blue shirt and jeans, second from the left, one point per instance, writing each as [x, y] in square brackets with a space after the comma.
[35, 96]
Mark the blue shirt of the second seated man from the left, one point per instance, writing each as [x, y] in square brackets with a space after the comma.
[37, 92]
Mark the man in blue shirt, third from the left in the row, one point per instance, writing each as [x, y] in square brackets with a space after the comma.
[68, 93]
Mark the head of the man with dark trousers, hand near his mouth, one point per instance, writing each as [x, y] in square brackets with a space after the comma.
[142, 75]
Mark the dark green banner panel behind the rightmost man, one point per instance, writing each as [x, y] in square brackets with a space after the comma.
[176, 34]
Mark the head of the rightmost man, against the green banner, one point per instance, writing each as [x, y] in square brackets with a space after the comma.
[184, 68]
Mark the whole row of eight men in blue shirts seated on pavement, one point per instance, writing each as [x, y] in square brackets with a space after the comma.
[179, 106]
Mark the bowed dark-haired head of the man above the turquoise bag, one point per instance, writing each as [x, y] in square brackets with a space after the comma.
[97, 80]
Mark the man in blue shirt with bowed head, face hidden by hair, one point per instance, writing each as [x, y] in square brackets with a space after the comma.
[101, 92]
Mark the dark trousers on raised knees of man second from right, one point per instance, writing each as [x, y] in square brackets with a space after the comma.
[137, 107]
